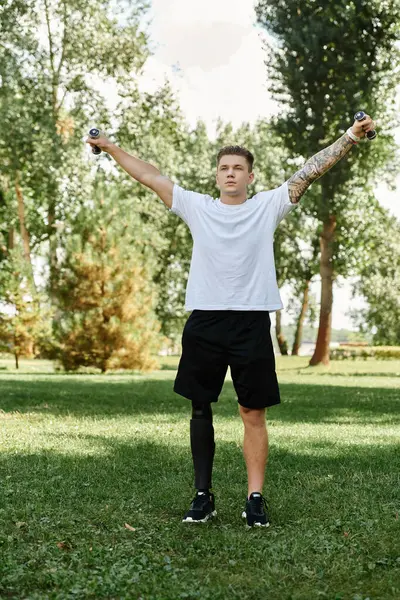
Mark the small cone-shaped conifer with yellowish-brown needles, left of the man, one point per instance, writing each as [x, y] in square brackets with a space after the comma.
[105, 302]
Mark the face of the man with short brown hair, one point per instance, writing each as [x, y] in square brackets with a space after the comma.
[233, 175]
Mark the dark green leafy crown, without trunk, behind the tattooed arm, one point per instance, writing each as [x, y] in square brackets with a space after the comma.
[318, 98]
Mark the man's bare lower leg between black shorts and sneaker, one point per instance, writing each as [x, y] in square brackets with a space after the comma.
[255, 447]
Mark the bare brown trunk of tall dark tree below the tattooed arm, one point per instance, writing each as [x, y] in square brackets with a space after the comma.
[321, 352]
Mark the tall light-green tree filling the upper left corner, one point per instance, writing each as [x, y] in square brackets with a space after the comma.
[47, 98]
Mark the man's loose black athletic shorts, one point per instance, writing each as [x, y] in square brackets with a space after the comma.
[214, 339]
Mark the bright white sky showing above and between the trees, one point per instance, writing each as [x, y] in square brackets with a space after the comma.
[212, 53]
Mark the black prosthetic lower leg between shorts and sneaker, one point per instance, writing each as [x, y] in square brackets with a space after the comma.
[202, 445]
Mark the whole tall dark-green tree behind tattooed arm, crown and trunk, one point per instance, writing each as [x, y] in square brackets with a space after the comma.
[326, 63]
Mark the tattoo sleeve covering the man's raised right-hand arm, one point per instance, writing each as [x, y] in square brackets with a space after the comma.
[316, 166]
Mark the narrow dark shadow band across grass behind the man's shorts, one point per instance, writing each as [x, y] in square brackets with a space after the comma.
[300, 402]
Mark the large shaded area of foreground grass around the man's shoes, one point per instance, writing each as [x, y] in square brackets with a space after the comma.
[84, 501]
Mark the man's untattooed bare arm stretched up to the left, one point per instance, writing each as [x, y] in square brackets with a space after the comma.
[140, 170]
